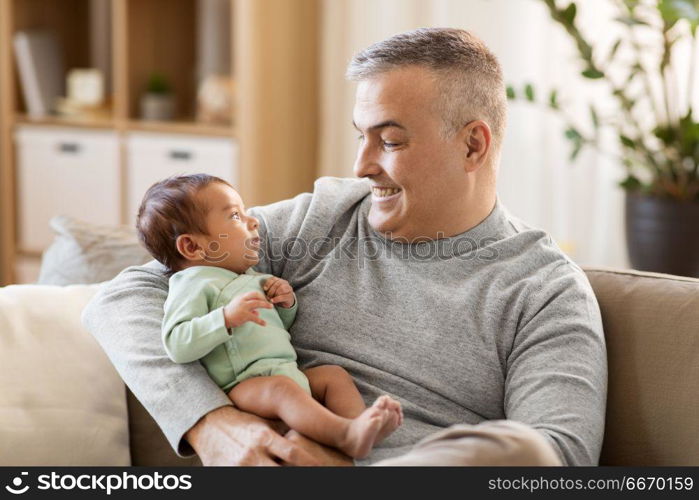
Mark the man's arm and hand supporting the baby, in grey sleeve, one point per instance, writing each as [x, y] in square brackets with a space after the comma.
[125, 317]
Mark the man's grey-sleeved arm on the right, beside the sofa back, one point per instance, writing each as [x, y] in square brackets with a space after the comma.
[557, 369]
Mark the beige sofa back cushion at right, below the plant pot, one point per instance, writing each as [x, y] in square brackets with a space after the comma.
[651, 324]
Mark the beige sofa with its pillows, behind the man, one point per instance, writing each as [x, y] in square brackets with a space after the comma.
[62, 402]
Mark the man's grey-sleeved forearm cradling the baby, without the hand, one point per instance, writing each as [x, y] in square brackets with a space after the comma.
[125, 317]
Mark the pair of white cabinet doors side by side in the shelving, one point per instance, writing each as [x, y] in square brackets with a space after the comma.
[77, 172]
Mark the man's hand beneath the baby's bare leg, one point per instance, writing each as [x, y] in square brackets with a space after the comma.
[227, 436]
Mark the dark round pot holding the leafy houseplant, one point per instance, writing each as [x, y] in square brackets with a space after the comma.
[662, 235]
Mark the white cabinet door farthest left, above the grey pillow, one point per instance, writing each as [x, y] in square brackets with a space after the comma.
[70, 172]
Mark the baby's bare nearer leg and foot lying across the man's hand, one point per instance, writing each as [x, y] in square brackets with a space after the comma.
[280, 397]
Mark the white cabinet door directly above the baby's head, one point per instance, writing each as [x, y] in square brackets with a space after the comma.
[153, 157]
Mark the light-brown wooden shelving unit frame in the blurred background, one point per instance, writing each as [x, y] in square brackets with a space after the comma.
[271, 54]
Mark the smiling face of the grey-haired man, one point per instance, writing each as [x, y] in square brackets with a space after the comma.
[418, 177]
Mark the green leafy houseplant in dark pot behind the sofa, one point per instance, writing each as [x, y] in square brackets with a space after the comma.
[660, 155]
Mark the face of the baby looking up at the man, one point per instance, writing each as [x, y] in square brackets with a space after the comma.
[232, 242]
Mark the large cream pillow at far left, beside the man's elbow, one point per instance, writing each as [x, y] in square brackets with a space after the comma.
[61, 401]
